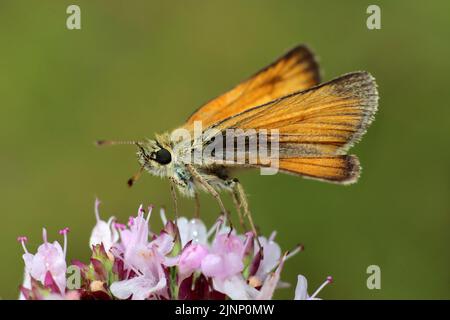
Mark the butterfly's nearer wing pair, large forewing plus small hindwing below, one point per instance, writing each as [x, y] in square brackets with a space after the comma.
[316, 126]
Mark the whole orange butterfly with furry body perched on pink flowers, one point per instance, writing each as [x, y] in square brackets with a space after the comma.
[312, 125]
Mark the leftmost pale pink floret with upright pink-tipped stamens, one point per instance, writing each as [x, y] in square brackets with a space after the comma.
[50, 257]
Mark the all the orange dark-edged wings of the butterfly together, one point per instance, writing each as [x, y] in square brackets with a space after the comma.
[317, 124]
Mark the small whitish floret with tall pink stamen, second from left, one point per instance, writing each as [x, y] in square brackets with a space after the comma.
[103, 232]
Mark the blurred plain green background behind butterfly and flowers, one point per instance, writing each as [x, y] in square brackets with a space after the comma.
[140, 67]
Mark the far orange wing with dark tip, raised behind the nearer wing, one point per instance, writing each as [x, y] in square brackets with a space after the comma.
[295, 71]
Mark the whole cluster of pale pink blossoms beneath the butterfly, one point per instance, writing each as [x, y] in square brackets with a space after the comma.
[185, 261]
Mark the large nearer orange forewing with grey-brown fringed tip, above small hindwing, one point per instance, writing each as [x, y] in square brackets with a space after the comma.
[321, 121]
